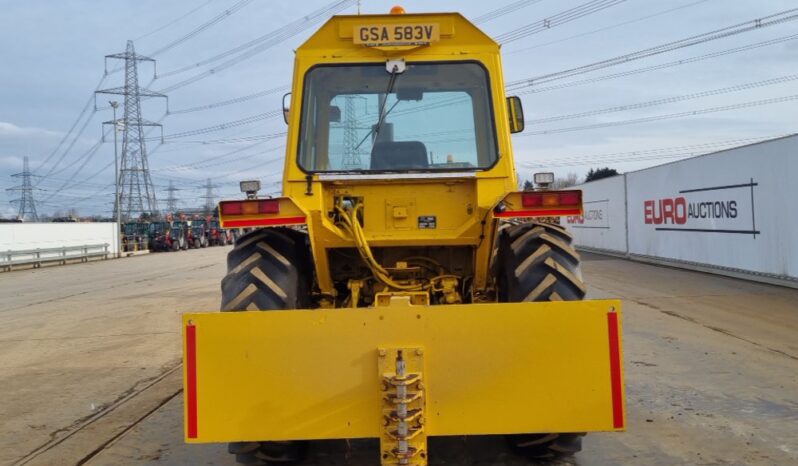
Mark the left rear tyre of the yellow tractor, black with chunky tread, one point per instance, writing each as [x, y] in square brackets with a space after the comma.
[268, 269]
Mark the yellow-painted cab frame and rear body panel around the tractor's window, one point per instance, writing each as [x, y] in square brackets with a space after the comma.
[461, 203]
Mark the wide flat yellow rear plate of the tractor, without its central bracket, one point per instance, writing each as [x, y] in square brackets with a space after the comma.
[489, 369]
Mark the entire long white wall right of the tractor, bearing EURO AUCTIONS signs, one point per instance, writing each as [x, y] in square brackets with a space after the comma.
[731, 212]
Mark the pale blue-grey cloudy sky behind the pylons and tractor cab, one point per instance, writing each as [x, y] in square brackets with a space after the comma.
[52, 61]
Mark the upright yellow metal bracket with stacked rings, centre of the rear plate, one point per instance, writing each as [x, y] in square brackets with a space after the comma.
[403, 440]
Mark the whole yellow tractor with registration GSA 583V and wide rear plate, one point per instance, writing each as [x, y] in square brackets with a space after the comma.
[411, 290]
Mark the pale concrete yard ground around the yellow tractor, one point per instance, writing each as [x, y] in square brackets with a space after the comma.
[89, 371]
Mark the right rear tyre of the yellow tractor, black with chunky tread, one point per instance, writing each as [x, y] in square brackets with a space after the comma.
[537, 262]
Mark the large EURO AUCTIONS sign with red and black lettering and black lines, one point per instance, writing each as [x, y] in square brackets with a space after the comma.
[705, 209]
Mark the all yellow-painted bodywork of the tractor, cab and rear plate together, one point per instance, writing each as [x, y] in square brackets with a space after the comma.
[486, 368]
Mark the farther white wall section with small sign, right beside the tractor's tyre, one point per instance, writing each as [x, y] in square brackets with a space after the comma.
[603, 225]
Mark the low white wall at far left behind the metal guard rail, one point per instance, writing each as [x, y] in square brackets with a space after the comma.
[27, 236]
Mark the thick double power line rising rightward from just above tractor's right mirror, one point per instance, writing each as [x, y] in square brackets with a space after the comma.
[777, 18]
